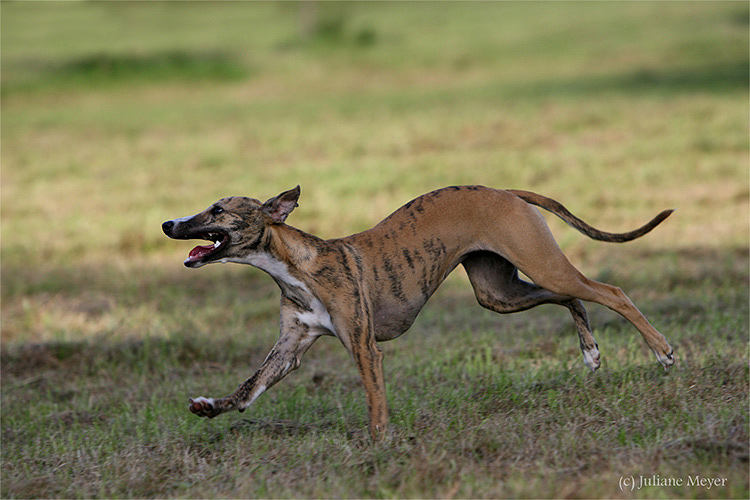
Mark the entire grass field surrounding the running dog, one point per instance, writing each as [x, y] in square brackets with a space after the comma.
[118, 116]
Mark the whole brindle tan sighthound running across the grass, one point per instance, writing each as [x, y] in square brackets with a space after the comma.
[369, 287]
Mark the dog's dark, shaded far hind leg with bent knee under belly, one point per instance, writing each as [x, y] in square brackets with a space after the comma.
[498, 288]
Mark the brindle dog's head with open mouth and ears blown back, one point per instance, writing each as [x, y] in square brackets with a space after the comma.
[237, 226]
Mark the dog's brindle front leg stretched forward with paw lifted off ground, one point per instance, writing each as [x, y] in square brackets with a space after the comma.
[284, 357]
